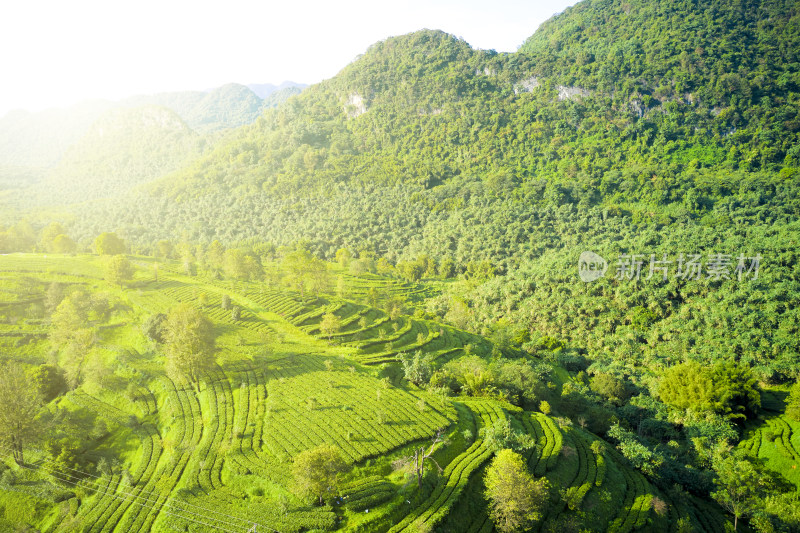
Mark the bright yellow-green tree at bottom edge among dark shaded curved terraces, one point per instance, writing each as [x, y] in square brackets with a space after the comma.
[516, 500]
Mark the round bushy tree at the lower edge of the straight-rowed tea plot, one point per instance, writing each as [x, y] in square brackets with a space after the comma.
[316, 471]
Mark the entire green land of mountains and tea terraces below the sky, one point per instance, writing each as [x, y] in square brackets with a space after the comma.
[393, 262]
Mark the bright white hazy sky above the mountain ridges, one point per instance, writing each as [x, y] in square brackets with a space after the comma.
[57, 52]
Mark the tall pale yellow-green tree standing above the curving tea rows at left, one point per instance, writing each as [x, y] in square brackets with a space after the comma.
[188, 342]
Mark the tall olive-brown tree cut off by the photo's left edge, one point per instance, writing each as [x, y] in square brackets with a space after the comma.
[19, 407]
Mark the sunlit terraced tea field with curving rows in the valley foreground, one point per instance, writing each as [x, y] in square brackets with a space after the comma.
[159, 453]
